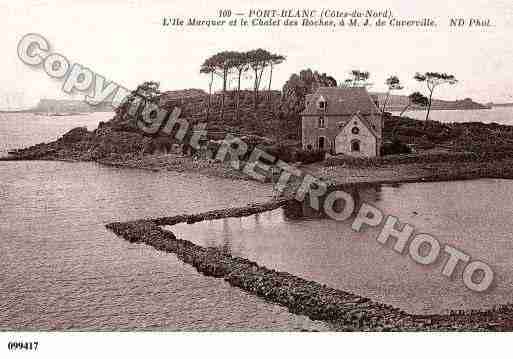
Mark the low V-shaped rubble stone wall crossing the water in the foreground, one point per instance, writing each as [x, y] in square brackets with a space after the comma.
[345, 311]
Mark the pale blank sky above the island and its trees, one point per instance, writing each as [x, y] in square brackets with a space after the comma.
[126, 42]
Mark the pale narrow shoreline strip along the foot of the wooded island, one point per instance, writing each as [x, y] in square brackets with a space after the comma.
[337, 175]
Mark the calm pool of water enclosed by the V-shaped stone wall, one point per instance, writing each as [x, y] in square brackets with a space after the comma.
[473, 216]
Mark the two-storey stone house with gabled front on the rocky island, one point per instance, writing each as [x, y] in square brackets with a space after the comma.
[342, 120]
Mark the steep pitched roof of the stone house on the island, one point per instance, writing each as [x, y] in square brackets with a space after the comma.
[341, 101]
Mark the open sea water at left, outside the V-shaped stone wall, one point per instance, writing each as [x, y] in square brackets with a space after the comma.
[62, 270]
